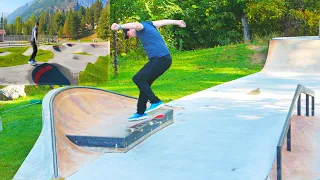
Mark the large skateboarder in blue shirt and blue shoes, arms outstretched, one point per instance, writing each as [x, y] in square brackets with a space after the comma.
[159, 61]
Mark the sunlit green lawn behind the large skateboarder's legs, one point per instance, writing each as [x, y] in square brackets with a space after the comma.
[190, 72]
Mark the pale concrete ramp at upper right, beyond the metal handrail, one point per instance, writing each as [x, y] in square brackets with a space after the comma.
[295, 55]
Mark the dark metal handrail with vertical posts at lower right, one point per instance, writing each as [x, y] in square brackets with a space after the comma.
[287, 126]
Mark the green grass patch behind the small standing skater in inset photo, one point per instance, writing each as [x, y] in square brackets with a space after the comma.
[17, 58]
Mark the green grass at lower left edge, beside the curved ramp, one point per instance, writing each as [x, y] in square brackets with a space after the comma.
[21, 129]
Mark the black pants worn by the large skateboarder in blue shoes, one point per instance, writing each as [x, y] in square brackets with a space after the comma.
[146, 76]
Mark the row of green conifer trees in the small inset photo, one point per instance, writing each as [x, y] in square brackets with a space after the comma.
[70, 24]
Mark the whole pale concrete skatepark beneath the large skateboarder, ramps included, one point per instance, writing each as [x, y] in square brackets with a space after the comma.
[229, 131]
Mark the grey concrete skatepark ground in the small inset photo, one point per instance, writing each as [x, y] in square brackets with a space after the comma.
[70, 58]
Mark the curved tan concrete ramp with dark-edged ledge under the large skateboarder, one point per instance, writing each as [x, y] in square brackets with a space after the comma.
[91, 114]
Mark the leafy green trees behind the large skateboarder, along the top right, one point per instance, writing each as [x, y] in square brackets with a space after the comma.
[219, 22]
